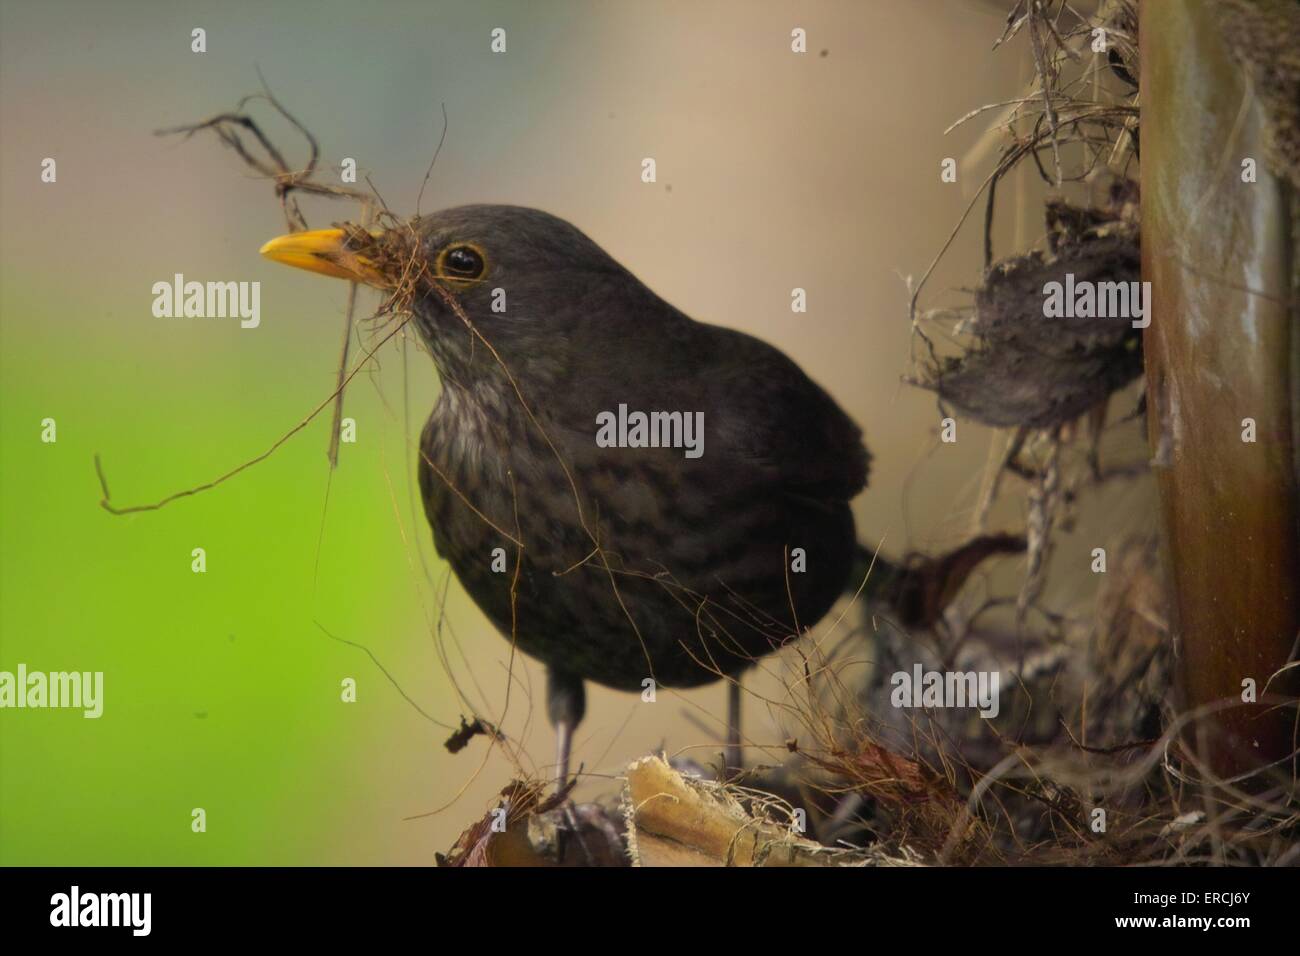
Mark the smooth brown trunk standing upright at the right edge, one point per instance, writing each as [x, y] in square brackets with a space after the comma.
[1221, 349]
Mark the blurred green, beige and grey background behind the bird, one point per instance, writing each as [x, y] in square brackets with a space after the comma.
[817, 171]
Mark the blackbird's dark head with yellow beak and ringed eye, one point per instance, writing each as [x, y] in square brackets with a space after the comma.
[527, 283]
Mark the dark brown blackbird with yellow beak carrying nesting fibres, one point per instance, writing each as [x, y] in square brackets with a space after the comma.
[630, 495]
